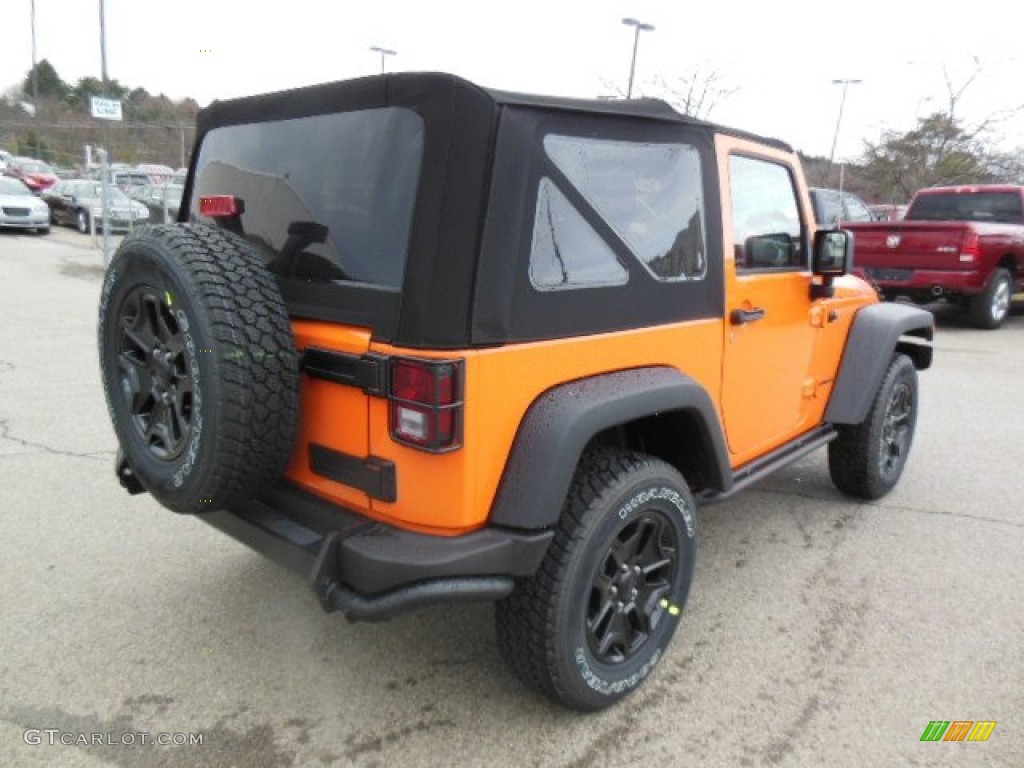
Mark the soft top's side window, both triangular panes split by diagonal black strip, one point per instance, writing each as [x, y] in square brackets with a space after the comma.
[650, 195]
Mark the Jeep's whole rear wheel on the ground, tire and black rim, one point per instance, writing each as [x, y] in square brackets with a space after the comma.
[594, 622]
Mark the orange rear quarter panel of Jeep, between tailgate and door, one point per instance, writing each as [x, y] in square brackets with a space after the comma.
[453, 493]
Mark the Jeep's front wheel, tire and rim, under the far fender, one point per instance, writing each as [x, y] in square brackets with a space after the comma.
[868, 460]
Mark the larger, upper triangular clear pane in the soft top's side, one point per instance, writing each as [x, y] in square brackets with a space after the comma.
[651, 195]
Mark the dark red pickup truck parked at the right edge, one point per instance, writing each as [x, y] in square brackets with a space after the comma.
[962, 244]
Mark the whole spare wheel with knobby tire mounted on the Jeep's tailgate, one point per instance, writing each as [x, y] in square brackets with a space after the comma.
[199, 366]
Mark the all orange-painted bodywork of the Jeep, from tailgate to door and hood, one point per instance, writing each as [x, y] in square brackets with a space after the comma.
[779, 374]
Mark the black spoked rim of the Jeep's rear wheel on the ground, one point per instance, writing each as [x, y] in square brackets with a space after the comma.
[629, 591]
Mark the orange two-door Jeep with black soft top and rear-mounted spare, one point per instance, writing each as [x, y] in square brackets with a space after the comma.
[425, 343]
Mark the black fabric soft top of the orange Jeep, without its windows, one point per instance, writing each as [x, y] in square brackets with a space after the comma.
[463, 281]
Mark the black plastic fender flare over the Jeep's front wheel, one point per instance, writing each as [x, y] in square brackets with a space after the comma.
[879, 331]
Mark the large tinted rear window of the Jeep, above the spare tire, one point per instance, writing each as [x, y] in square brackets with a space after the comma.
[328, 198]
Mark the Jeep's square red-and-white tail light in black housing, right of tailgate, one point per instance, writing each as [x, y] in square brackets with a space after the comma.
[426, 404]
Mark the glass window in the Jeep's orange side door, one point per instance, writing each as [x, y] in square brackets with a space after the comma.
[767, 230]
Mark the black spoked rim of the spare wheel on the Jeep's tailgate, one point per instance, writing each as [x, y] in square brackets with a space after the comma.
[155, 372]
